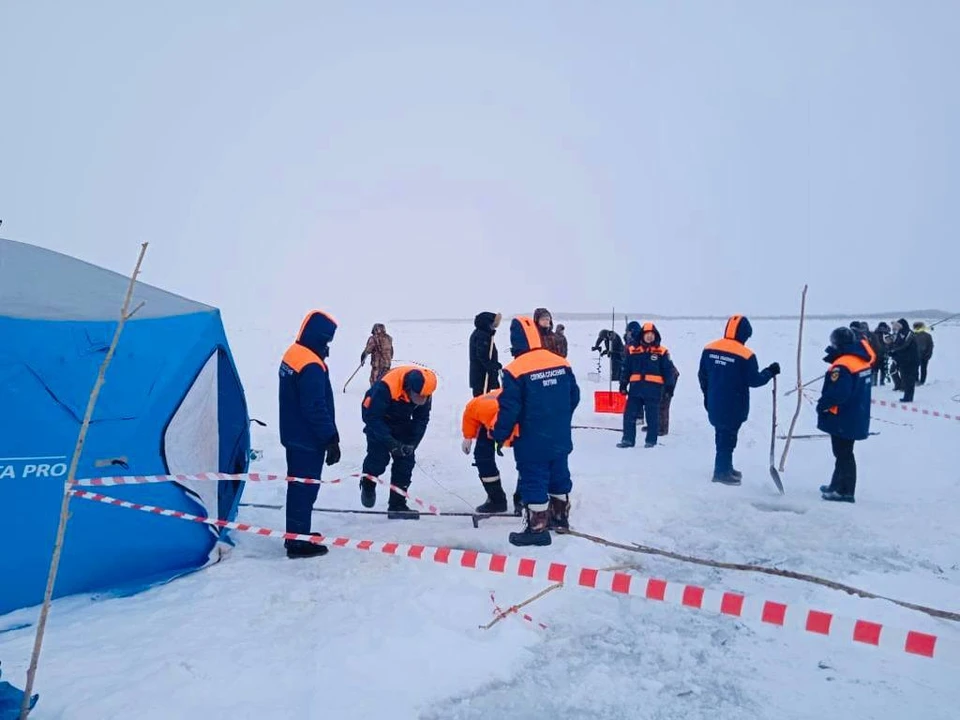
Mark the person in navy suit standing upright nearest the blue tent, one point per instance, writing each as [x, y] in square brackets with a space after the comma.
[308, 428]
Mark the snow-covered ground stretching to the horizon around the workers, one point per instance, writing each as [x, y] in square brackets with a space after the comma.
[356, 635]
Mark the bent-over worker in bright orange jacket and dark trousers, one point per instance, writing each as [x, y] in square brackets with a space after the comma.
[479, 418]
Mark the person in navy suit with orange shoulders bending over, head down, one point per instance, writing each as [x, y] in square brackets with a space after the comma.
[396, 411]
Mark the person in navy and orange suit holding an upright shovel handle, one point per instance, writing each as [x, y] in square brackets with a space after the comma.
[728, 369]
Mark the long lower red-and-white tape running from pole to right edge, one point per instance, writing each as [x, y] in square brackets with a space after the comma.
[691, 596]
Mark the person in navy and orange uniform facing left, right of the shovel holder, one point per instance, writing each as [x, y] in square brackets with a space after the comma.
[843, 410]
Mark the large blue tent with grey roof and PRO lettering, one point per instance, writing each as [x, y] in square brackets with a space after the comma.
[172, 403]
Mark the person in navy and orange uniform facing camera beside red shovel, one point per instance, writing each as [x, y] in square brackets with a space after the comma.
[646, 373]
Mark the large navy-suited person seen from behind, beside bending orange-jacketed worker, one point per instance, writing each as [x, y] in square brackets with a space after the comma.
[539, 395]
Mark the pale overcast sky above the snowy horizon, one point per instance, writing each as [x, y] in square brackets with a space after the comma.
[388, 159]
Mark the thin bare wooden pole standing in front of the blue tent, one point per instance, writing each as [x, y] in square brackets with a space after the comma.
[125, 314]
